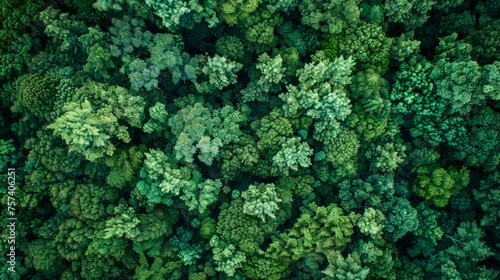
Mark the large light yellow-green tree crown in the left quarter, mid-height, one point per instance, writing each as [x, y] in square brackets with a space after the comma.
[90, 130]
